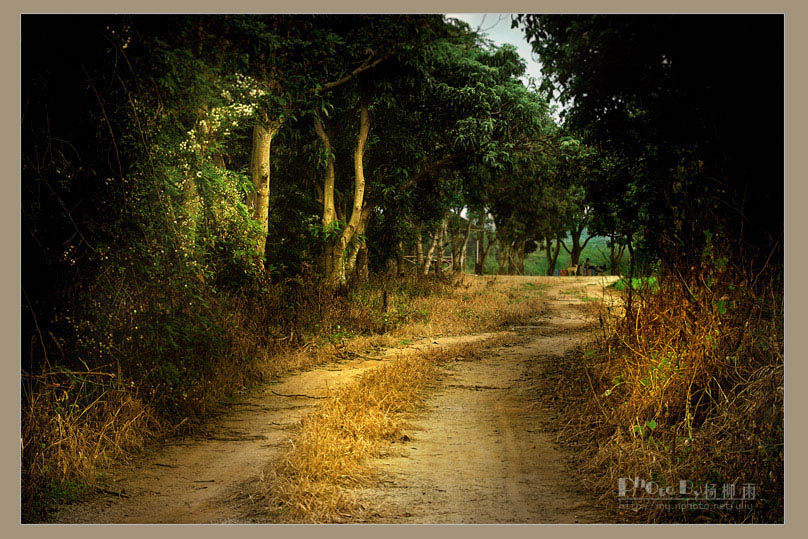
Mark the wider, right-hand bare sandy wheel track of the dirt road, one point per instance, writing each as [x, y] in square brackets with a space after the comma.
[480, 454]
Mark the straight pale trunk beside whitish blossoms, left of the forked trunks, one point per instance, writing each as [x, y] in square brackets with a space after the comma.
[263, 132]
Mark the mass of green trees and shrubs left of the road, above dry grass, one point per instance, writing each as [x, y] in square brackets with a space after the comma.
[142, 182]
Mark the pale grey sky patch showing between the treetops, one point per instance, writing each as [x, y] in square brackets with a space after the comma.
[497, 28]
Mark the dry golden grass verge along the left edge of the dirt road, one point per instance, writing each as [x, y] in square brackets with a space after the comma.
[74, 425]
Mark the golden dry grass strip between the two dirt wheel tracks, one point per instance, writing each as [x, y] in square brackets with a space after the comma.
[313, 481]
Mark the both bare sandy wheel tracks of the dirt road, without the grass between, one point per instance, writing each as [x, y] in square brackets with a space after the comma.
[481, 456]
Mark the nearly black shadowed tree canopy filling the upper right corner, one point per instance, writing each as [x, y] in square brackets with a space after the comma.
[679, 109]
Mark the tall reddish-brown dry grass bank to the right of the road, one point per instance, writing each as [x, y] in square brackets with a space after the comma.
[687, 384]
